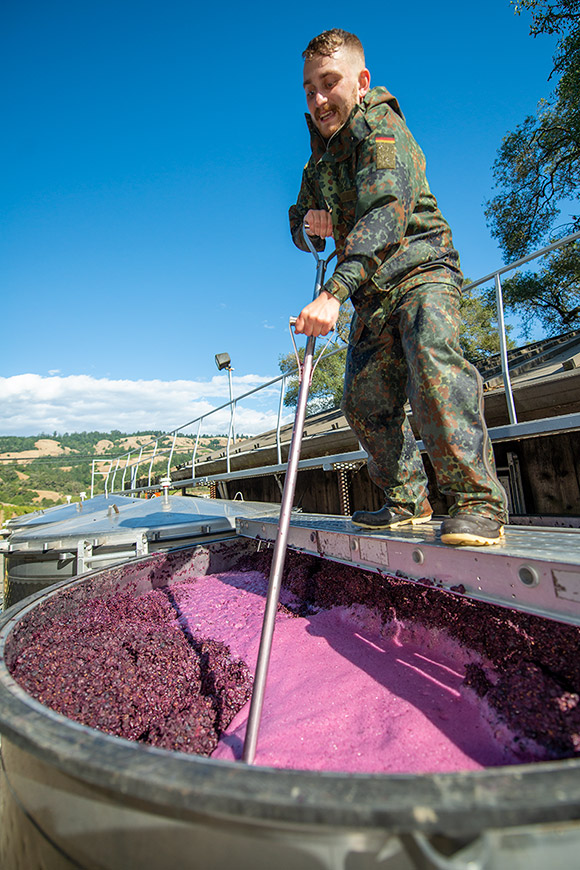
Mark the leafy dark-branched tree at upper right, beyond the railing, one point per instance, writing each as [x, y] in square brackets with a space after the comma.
[537, 175]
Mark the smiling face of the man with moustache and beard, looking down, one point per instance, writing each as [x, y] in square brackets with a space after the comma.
[333, 87]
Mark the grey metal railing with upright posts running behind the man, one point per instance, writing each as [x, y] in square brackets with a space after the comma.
[152, 450]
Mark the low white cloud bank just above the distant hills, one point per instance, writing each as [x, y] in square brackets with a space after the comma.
[31, 404]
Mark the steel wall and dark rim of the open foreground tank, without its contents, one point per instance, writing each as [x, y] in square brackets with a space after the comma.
[76, 797]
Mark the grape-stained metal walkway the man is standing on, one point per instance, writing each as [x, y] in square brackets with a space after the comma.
[532, 570]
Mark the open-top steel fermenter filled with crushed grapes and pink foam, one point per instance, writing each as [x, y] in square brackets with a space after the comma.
[406, 725]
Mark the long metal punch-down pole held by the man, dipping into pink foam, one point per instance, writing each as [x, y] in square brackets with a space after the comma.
[257, 702]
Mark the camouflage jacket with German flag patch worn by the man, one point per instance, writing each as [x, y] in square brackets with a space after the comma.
[389, 233]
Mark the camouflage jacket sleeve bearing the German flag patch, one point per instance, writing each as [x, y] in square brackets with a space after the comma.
[386, 199]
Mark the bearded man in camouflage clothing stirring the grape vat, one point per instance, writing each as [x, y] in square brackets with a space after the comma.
[365, 186]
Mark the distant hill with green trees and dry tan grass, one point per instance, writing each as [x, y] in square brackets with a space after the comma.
[38, 471]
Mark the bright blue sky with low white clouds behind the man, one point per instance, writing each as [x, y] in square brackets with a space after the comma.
[150, 153]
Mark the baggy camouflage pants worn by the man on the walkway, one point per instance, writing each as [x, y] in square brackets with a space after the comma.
[417, 357]
